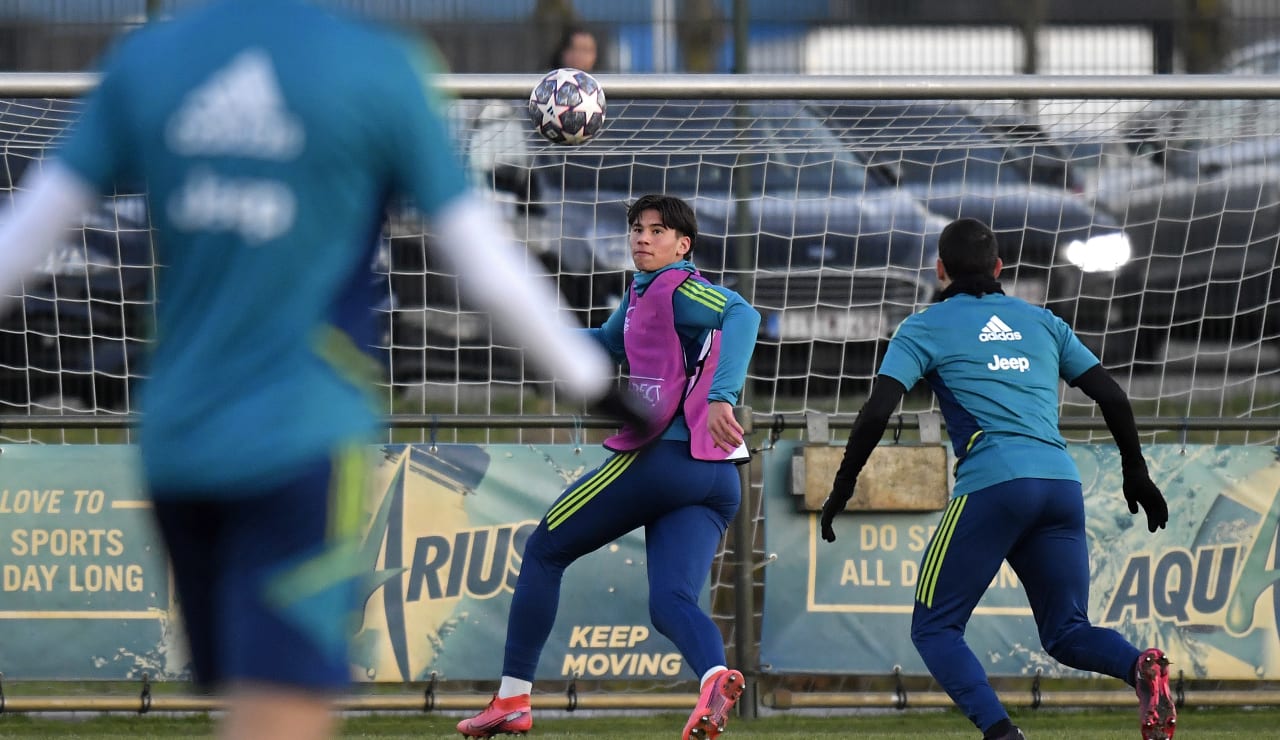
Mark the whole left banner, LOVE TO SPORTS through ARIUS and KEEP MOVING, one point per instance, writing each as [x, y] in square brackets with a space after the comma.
[88, 591]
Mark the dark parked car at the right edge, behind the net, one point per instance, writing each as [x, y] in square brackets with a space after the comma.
[1206, 230]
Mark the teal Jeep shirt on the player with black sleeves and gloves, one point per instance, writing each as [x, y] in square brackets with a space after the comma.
[995, 364]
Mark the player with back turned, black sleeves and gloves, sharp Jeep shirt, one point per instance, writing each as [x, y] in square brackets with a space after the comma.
[994, 364]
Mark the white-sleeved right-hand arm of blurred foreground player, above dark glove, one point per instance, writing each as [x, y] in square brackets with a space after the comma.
[523, 305]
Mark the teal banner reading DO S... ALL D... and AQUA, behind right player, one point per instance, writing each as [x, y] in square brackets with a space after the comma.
[1203, 590]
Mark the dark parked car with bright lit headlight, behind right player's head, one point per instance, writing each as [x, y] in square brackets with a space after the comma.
[1059, 252]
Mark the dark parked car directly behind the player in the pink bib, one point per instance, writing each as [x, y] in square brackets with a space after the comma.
[830, 255]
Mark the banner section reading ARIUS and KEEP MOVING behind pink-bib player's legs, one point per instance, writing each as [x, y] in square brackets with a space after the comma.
[454, 523]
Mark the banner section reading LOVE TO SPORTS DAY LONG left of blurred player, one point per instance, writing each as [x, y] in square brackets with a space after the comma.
[85, 582]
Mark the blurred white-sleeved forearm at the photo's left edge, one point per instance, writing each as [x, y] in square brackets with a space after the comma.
[52, 200]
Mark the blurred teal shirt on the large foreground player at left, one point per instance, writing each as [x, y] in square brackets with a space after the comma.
[271, 136]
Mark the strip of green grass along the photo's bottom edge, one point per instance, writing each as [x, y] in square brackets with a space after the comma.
[1039, 725]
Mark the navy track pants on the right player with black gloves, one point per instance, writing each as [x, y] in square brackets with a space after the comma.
[1039, 527]
